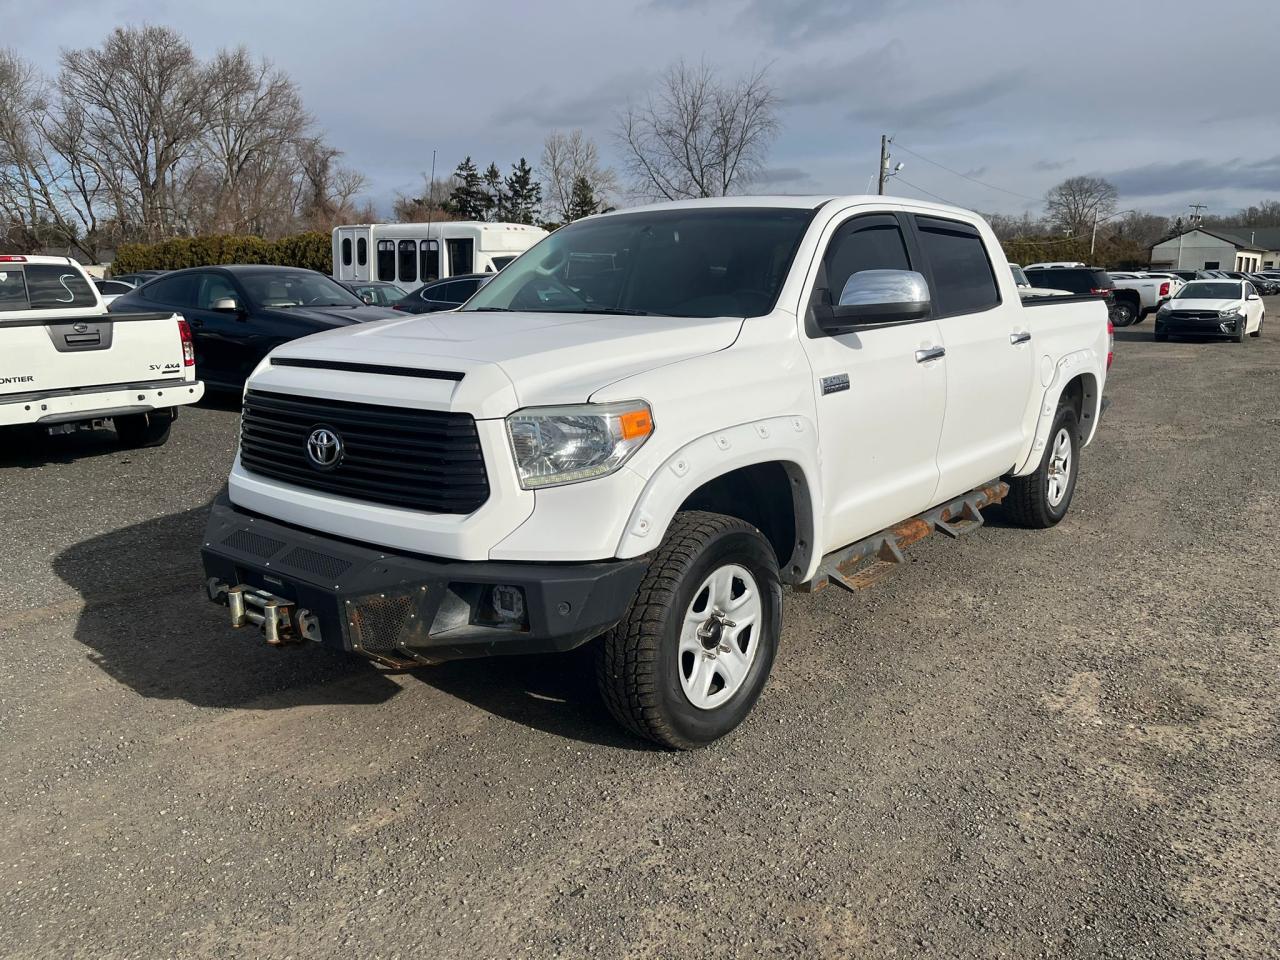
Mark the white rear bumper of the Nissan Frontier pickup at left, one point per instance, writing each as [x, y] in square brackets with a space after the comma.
[97, 403]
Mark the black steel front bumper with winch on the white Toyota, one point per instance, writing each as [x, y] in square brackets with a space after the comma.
[400, 609]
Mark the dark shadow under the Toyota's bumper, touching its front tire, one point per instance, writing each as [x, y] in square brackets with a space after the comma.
[554, 693]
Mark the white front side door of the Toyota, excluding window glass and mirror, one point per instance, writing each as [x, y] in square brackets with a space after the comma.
[880, 392]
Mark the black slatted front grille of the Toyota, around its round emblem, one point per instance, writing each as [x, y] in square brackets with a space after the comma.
[418, 459]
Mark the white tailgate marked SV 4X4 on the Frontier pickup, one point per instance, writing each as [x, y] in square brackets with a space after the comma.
[58, 354]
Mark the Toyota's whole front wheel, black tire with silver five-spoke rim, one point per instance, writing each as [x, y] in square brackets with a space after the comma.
[688, 662]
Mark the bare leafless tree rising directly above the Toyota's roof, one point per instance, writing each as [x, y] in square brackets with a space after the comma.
[697, 136]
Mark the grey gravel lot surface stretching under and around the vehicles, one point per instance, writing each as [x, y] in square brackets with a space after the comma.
[1027, 744]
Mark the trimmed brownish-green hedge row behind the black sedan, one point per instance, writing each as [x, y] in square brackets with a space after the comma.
[310, 250]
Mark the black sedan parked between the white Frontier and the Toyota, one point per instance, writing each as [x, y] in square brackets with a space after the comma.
[239, 314]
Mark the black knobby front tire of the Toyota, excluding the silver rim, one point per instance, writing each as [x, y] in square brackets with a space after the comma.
[638, 660]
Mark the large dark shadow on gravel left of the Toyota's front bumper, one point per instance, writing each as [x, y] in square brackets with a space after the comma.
[148, 624]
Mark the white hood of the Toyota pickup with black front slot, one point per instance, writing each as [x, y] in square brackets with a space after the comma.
[546, 358]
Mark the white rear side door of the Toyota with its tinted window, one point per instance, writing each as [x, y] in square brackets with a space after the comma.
[990, 356]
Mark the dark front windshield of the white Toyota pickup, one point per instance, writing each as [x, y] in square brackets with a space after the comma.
[710, 262]
